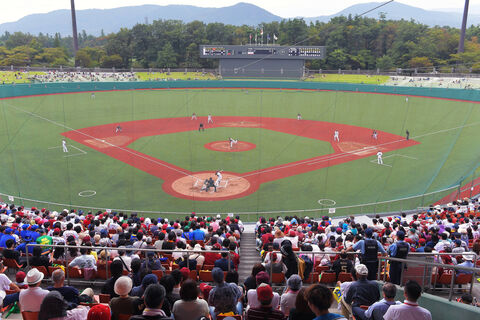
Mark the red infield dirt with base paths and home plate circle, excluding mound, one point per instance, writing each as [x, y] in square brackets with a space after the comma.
[355, 143]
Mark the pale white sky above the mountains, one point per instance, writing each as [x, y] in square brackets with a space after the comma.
[14, 10]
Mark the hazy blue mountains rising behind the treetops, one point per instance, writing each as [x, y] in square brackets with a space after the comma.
[93, 21]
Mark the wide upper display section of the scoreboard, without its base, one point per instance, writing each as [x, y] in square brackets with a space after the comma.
[262, 52]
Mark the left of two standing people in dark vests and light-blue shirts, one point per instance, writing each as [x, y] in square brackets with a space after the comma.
[369, 249]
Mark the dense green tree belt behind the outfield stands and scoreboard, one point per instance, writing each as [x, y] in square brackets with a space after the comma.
[352, 43]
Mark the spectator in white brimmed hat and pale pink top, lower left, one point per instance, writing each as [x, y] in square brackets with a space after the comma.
[31, 298]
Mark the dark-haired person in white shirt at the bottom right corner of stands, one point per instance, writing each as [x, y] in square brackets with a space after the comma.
[409, 309]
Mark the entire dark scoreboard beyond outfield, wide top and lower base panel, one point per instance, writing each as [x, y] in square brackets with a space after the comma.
[262, 61]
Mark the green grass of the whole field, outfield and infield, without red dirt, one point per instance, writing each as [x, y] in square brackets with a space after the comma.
[34, 166]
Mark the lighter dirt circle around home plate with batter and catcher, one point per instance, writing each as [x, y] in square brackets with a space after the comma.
[231, 186]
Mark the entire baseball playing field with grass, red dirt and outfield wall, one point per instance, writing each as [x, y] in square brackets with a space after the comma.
[159, 160]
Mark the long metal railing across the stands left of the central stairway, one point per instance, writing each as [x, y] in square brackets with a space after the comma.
[107, 255]
